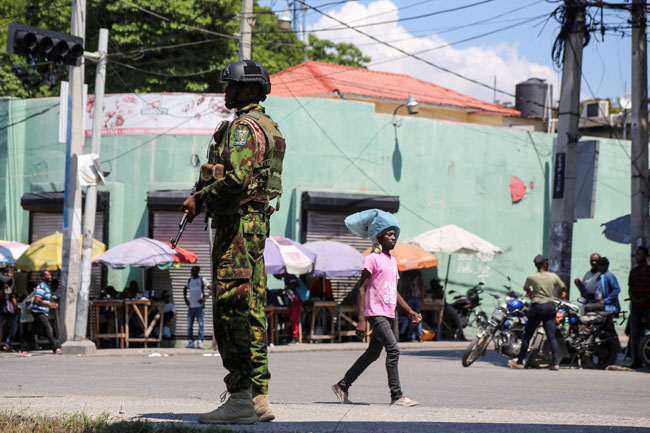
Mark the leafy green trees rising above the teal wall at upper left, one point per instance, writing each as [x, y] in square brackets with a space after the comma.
[158, 45]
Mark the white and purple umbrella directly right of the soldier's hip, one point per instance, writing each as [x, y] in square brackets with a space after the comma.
[285, 255]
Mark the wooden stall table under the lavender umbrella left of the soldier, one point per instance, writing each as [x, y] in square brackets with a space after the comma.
[143, 309]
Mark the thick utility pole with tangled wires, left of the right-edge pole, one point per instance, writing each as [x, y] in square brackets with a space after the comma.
[566, 147]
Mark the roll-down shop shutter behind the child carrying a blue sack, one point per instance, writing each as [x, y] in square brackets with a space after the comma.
[328, 225]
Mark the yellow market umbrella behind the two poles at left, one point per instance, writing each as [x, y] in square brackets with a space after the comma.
[46, 254]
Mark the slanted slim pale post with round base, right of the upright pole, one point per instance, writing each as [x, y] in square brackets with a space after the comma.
[86, 346]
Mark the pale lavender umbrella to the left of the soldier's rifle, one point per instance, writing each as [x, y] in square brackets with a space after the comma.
[141, 252]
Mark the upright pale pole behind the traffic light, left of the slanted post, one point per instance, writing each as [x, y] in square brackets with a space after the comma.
[72, 195]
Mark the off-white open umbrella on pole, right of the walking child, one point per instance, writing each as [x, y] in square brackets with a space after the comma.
[451, 239]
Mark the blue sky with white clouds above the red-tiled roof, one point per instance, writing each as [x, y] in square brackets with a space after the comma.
[483, 40]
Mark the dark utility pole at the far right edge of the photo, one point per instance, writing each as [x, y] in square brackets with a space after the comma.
[639, 225]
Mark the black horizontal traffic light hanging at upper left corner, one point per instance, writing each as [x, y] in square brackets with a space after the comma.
[44, 45]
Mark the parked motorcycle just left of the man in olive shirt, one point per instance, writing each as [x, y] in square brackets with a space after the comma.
[505, 328]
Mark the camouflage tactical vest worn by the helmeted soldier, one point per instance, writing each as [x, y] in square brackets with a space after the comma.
[267, 174]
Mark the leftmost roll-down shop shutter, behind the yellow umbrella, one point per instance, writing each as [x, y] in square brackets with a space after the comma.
[46, 223]
